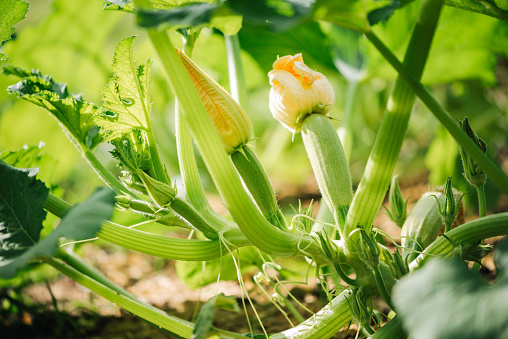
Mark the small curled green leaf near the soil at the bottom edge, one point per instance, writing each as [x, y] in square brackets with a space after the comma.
[205, 316]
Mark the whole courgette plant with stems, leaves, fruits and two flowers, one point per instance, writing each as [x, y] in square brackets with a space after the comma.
[341, 240]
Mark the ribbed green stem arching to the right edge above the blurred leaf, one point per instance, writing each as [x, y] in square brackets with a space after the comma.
[468, 233]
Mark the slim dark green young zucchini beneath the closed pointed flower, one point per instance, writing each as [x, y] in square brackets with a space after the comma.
[255, 178]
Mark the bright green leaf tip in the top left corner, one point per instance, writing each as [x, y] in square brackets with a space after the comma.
[11, 11]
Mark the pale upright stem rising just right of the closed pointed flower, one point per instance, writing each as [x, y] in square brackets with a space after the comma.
[235, 70]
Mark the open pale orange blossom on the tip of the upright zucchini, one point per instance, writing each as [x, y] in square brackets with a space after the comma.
[298, 91]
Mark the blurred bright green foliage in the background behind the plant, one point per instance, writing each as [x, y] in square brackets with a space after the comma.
[467, 70]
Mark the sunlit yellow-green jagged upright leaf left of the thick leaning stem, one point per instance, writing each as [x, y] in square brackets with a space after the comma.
[126, 98]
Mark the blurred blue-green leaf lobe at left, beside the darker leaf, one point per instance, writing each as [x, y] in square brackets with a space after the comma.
[80, 222]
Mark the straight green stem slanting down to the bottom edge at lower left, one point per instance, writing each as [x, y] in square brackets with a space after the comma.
[150, 313]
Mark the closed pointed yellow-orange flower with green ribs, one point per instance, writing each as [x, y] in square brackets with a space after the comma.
[230, 120]
